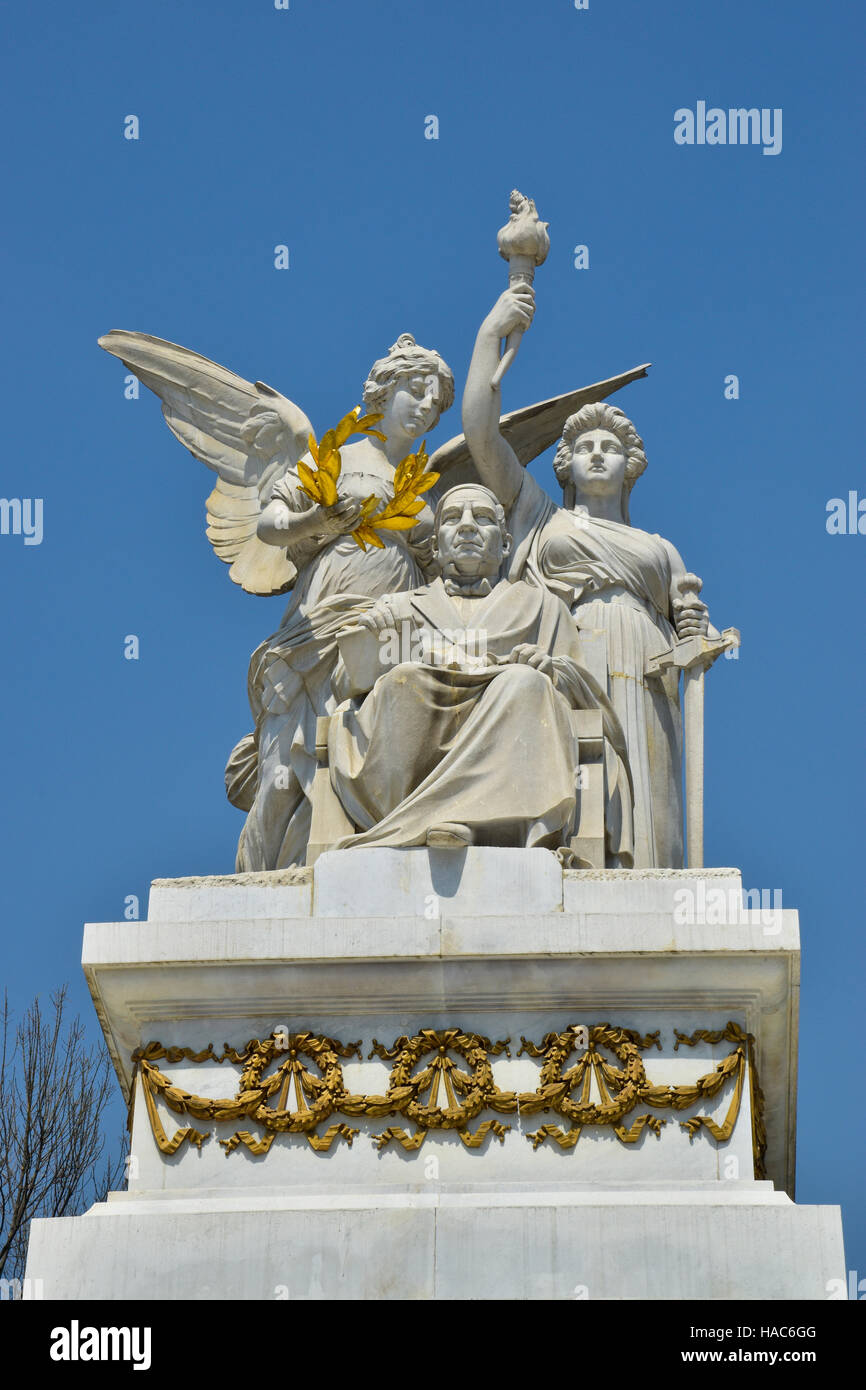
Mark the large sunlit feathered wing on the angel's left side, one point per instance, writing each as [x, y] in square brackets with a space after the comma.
[245, 432]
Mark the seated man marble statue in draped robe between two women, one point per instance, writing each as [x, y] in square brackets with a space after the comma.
[472, 742]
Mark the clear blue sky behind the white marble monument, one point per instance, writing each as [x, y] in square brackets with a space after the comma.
[307, 129]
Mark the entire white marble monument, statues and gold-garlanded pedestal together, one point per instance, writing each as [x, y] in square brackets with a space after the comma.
[461, 1024]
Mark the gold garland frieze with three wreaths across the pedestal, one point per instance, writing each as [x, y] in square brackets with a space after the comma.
[293, 1084]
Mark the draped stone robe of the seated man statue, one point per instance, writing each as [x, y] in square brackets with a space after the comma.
[491, 749]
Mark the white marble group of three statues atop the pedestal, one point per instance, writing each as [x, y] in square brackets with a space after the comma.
[464, 660]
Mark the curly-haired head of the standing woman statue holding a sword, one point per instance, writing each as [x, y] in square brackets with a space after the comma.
[601, 454]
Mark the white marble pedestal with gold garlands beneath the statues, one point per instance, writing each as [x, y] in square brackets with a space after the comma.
[440, 1127]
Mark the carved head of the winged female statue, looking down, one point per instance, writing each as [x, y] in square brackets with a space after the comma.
[411, 389]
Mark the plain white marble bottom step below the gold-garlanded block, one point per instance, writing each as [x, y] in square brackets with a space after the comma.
[619, 1245]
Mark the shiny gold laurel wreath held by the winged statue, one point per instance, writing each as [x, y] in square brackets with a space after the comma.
[411, 480]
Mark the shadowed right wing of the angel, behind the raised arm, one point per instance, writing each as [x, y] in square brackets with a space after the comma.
[529, 432]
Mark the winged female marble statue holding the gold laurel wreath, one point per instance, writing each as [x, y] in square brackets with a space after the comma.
[276, 539]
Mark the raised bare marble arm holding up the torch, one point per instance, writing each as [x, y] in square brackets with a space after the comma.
[494, 458]
